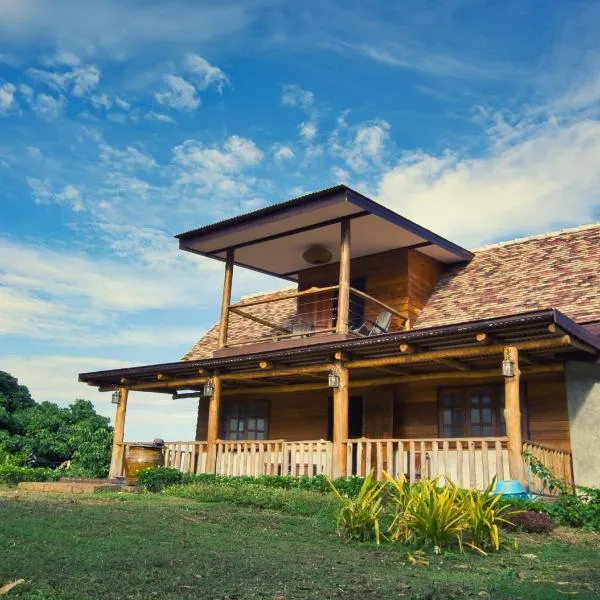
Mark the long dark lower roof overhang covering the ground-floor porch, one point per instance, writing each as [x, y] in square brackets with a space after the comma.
[542, 326]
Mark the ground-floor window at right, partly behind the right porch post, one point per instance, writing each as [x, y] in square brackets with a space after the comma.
[476, 411]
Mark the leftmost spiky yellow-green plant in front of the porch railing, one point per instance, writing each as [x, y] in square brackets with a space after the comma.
[359, 518]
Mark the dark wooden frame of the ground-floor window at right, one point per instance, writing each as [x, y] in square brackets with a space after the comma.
[496, 394]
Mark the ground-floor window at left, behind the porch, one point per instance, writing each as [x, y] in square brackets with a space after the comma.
[245, 420]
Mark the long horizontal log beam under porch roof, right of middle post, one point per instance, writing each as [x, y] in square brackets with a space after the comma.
[469, 352]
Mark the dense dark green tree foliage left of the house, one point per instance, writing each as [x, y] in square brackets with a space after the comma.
[50, 435]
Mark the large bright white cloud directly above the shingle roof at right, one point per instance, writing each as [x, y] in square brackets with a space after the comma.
[537, 176]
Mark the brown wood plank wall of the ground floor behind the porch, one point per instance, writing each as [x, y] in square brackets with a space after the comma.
[408, 411]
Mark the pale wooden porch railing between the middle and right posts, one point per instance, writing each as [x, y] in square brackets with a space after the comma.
[470, 462]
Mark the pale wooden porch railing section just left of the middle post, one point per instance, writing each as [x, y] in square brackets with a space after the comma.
[274, 457]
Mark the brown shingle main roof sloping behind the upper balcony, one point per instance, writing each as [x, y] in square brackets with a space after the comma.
[559, 270]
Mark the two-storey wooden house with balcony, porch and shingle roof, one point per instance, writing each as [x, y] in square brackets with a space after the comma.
[389, 348]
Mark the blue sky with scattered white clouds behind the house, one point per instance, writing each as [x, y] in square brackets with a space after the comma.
[123, 124]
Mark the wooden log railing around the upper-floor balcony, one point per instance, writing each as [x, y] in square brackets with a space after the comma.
[307, 313]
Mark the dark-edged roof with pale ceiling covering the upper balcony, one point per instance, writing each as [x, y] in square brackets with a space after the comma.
[272, 240]
